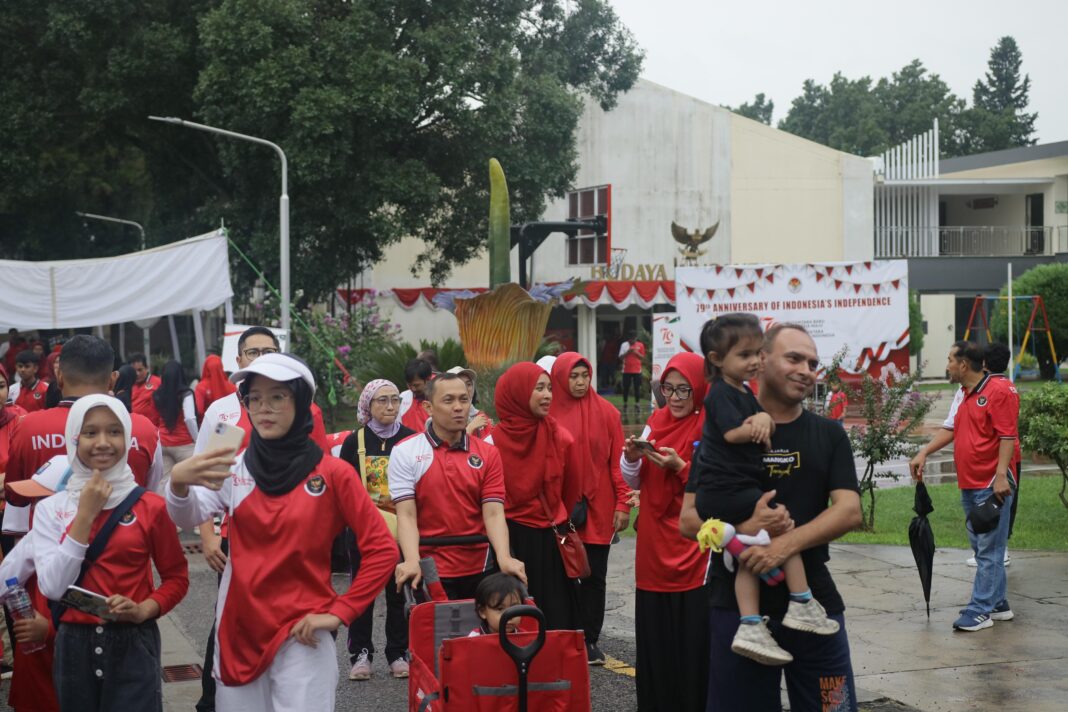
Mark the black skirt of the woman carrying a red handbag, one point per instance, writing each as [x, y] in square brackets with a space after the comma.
[547, 582]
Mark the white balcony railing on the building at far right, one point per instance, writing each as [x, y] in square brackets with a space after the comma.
[971, 241]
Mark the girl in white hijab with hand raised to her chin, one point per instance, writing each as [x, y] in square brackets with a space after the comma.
[109, 661]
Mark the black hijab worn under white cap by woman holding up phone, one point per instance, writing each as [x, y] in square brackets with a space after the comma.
[279, 466]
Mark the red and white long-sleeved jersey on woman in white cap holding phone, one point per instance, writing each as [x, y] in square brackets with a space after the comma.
[279, 565]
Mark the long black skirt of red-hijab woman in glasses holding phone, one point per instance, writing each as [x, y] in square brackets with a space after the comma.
[672, 640]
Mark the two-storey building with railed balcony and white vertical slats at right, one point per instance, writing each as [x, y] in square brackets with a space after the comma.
[962, 221]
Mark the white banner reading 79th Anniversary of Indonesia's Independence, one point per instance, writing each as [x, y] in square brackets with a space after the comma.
[862, 307]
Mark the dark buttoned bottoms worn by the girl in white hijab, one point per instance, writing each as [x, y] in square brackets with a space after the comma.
[104, 669]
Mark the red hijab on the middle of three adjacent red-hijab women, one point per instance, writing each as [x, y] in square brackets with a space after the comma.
[589, 418]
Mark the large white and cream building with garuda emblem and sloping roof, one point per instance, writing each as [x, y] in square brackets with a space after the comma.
[662, 157]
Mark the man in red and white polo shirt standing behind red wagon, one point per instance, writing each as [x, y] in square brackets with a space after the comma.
[447, 484]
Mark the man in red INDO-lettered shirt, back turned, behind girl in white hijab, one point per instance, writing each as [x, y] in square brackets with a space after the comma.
[85, 368]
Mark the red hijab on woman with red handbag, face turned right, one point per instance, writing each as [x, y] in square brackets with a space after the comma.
[528, 445]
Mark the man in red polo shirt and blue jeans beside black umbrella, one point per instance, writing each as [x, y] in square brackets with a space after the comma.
[984, 453]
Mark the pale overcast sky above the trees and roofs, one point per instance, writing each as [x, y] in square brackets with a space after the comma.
[727, 53]
